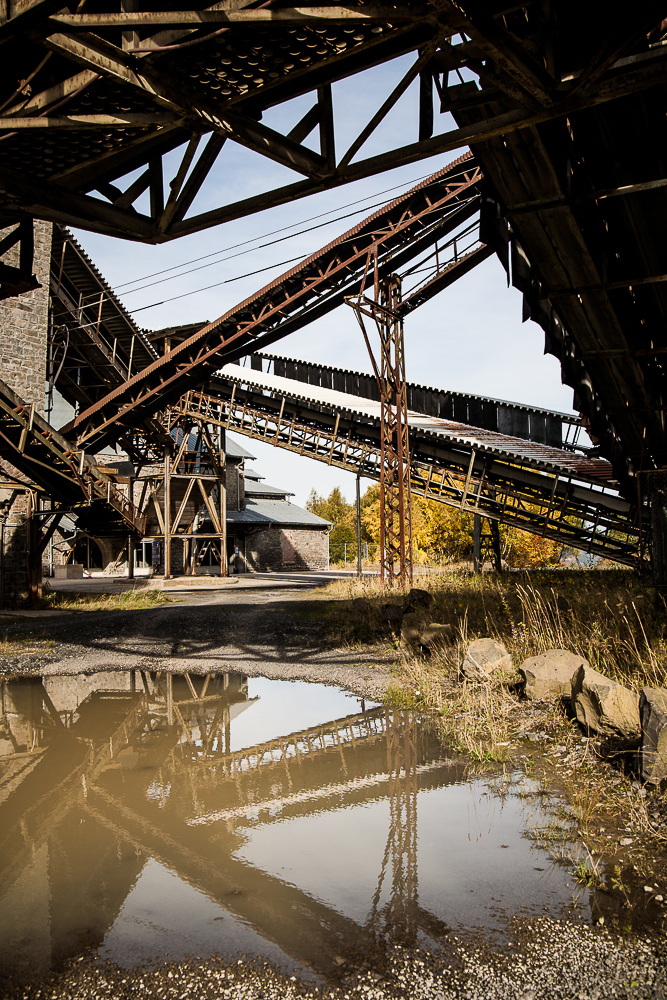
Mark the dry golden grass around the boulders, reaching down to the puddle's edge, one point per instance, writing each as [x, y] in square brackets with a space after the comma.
[607, 616]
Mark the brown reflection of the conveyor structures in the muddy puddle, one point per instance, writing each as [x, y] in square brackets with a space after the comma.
[100, 774]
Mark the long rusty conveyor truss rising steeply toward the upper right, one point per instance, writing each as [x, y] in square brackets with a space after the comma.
[396, 233]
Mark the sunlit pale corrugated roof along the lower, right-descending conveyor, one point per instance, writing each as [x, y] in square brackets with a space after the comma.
[527, 452]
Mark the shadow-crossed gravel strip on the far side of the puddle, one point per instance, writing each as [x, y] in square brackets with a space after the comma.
[247, 631]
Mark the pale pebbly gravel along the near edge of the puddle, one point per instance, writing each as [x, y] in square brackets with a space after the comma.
[549, 960]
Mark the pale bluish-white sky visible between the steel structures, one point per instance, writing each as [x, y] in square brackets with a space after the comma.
[468, 338]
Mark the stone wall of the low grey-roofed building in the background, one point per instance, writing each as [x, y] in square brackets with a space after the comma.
[282, 550]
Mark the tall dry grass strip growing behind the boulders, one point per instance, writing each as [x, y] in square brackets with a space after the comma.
[608, 616]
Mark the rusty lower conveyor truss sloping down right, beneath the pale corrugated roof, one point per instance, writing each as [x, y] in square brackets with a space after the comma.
[574, 508]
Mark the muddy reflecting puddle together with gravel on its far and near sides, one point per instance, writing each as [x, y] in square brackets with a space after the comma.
[222, 834]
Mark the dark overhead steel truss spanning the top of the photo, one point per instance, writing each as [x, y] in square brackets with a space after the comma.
[112, 119]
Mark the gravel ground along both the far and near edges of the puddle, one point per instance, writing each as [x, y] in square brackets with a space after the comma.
[253, 632]
